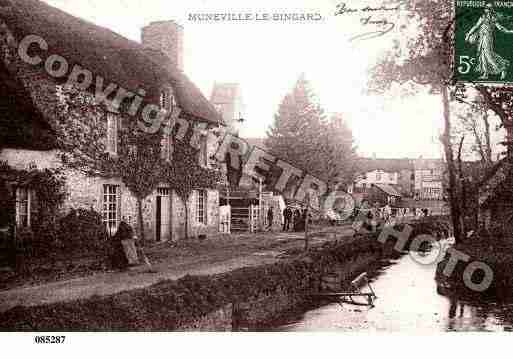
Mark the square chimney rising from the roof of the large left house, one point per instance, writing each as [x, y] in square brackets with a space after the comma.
[167, 37]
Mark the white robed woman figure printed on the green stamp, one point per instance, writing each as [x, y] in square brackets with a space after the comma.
[483, 33]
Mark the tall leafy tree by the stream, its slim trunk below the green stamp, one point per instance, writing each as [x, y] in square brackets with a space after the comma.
[424, 59]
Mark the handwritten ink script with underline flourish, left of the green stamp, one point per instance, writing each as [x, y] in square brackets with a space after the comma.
[376, 18]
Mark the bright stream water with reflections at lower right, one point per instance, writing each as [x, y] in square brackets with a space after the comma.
[408, 301]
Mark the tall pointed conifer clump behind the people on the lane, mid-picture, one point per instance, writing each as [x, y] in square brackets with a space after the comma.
[303, 137]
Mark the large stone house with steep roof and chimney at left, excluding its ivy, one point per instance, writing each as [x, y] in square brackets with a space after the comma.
[29, 96]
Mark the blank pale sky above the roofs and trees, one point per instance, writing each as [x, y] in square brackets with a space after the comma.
[267, 57]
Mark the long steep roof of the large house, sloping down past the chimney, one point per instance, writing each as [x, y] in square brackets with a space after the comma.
[105, 53]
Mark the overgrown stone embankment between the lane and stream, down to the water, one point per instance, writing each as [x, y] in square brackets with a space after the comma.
[243, 299]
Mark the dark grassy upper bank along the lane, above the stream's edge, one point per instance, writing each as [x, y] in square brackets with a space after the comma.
[171, 305]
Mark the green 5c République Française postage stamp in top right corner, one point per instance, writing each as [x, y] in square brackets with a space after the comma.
[484, 41]
